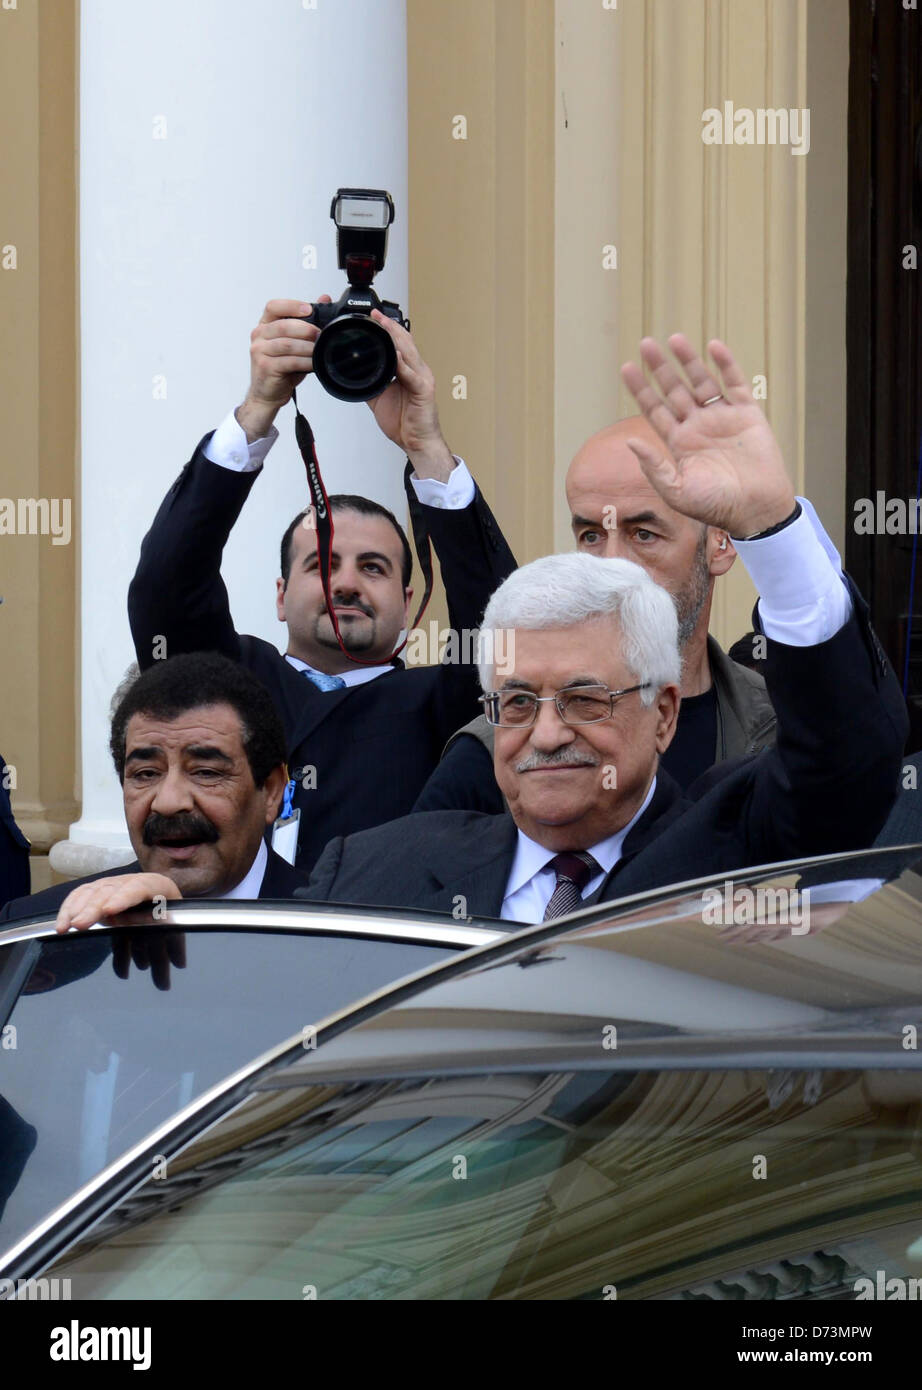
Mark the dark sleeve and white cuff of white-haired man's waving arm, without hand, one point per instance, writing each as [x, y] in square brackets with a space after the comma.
[842, 723]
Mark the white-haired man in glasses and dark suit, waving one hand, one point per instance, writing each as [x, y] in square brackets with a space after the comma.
[588, 701]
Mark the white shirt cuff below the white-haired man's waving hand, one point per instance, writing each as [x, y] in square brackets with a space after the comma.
[803, 594]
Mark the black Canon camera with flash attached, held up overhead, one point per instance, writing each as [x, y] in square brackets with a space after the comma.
[354, 357]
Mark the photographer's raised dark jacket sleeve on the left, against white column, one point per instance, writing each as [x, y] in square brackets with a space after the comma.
[177, 591]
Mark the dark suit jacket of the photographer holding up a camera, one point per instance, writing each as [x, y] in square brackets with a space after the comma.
[372, 746]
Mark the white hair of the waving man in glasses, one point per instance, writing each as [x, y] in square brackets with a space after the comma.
[567, 590]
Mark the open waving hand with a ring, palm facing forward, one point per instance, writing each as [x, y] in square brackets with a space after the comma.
[727, 468]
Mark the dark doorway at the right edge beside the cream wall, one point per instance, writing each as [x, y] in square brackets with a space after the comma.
[884, 352]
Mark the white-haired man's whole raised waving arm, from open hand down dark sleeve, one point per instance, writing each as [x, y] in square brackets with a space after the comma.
[842, 723]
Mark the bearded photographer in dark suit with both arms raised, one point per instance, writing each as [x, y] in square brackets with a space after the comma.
[362, 739]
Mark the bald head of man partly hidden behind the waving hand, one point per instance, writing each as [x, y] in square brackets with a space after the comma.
[617, 512]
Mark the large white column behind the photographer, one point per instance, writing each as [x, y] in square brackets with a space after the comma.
[213, 137]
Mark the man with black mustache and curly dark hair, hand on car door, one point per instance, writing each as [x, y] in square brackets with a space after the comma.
[201, 754]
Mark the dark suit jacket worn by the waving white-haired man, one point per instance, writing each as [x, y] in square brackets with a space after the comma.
[827, 786]
